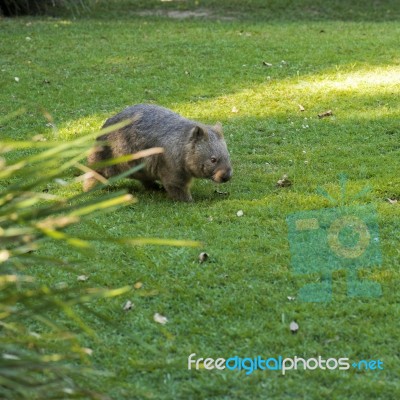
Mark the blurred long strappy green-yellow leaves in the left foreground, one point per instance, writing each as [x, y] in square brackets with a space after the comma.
[42, 363]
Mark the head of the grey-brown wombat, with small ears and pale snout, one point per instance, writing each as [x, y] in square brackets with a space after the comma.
[208, 155]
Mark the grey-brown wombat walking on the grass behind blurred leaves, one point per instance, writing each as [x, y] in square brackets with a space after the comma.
[191, 150]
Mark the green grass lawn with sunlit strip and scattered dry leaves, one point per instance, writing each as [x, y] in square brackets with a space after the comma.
[337, 56]
